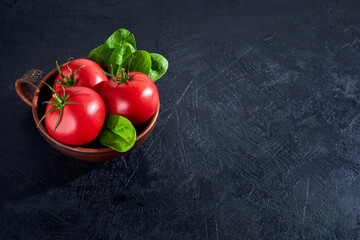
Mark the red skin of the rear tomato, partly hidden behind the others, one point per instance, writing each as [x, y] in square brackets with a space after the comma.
[89, 76]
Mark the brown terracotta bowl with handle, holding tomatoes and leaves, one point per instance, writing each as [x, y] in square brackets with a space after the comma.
[33, 92]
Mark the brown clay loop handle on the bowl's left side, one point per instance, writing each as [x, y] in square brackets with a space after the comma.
[27, 84]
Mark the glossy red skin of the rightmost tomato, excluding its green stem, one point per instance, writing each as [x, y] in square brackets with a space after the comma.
[137, 99]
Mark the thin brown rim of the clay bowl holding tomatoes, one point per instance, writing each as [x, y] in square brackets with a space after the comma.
[79, 149]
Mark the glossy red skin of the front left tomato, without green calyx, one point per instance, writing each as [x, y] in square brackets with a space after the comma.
[80, 123]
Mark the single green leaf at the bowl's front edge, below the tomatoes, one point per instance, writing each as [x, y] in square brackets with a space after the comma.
[118, 133]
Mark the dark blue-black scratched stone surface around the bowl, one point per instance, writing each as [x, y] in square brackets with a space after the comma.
[258, 134]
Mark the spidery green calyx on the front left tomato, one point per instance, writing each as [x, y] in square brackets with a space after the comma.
[59, 103]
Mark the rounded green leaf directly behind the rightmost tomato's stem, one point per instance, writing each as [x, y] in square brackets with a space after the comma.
[139, 61]
